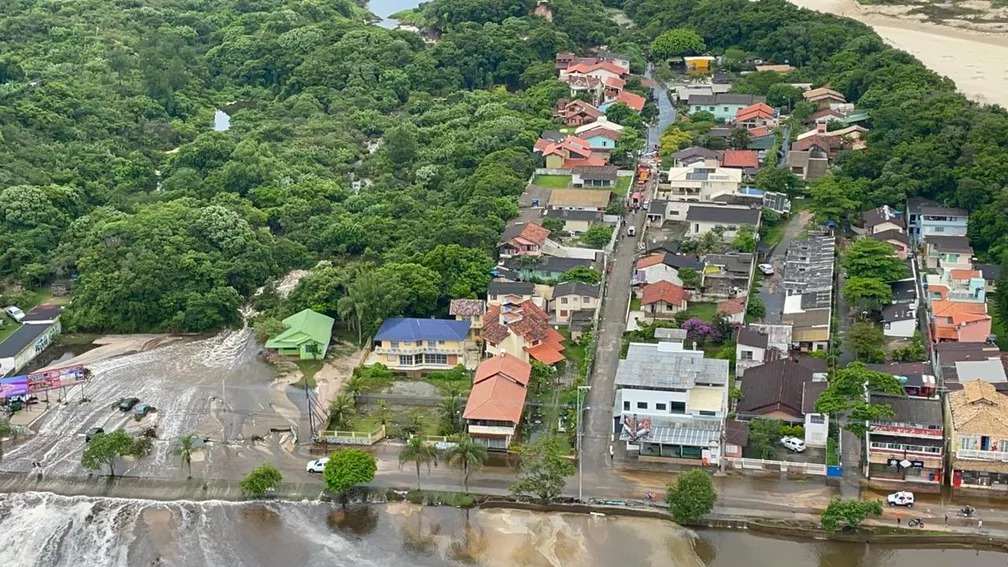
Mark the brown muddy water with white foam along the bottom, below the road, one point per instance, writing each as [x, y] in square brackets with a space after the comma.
[42, 529]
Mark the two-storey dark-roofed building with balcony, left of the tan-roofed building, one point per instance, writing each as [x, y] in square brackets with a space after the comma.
[909, 446]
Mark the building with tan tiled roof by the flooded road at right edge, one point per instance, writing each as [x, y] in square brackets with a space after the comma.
[979, 440]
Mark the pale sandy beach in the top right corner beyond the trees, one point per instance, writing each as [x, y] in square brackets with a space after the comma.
[949, 51]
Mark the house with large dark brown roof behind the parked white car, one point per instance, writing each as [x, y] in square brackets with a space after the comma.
[786, 390]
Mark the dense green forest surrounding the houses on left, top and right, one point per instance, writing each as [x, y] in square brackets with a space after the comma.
[110, 168]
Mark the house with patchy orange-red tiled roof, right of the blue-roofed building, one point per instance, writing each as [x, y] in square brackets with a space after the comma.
[523, 330]
